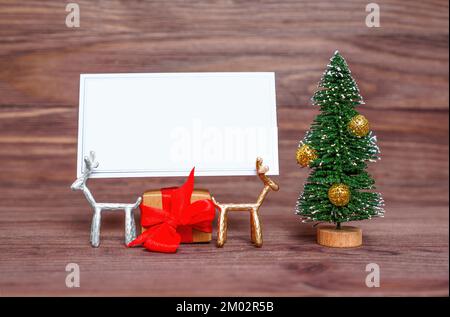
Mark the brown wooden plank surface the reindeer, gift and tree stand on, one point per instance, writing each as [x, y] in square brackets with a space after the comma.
[412, 254]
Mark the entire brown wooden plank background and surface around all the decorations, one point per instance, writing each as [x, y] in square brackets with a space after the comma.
[402, 71]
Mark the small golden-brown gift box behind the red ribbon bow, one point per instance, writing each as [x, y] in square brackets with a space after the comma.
[161, 199]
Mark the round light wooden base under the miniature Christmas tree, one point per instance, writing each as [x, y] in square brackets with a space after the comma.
[346, 237]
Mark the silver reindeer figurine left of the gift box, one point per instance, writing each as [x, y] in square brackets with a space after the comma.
[80, 184]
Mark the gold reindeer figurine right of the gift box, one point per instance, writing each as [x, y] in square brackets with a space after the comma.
[255, 223]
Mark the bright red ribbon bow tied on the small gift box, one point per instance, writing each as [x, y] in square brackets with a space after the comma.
[168, 227]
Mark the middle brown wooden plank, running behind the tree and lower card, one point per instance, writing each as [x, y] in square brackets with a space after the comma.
[31, 145]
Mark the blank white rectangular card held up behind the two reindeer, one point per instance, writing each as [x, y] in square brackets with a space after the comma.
[148, 125]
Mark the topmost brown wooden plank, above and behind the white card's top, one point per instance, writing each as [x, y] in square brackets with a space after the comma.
[41, 59]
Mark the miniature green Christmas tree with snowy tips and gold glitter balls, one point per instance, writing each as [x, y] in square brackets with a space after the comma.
[337, 148]
